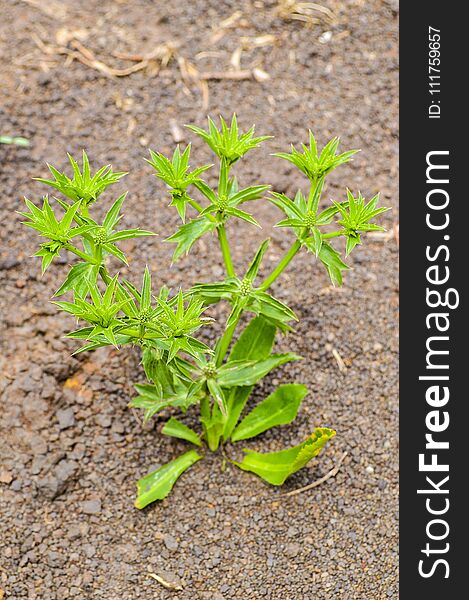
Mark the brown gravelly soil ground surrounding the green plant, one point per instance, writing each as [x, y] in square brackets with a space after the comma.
[70, 449]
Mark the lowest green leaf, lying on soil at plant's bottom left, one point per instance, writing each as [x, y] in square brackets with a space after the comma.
[157, 485]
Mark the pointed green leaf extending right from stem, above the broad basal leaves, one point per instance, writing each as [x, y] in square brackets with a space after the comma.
[244, 372]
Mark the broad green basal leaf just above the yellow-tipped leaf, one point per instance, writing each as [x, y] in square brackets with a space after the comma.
[280, 408]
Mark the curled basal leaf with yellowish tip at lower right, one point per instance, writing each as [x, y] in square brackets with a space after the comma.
[275, 467]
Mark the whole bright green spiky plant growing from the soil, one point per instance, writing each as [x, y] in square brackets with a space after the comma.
[182, 370]
